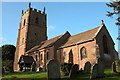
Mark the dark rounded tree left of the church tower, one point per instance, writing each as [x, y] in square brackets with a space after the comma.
[8, 52]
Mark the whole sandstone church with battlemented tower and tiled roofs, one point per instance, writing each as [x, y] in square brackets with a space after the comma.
[34, 49]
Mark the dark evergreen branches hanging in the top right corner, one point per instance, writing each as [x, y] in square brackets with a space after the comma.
[116, 10]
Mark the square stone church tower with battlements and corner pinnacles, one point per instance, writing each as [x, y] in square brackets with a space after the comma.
[31, 32]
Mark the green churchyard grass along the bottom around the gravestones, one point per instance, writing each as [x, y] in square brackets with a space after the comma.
[43, 76]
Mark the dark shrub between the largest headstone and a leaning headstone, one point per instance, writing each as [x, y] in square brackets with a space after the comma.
[66, 67]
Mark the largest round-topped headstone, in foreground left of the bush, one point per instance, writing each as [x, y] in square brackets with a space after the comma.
[53, 69]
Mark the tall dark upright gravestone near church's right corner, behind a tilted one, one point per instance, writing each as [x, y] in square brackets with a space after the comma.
[101, 67]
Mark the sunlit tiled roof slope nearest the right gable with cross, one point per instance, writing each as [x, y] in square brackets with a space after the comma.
[81, 37]
